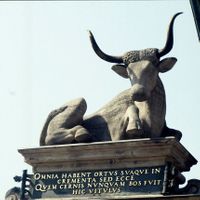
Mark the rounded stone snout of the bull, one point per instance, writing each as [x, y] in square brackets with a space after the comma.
[139, 93]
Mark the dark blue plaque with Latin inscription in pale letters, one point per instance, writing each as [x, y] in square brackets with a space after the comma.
[135, 180]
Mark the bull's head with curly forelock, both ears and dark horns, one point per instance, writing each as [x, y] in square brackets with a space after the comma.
[141, 67]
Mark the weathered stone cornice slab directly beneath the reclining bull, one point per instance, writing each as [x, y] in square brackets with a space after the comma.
[103, 155]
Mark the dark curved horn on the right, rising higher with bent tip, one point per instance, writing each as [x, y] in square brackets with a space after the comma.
[170, 38]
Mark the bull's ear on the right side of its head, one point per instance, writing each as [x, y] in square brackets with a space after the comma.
[166, 64]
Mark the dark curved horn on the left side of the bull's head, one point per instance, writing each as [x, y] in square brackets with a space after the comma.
[101, 54]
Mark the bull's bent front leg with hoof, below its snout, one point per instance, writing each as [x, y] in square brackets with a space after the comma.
[133, 123]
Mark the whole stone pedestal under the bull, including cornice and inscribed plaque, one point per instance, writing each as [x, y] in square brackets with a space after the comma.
[131, 169]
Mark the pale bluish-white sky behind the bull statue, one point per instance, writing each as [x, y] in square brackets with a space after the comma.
[46, 60]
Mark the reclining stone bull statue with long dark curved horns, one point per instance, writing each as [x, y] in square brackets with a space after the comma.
[137, 112]
